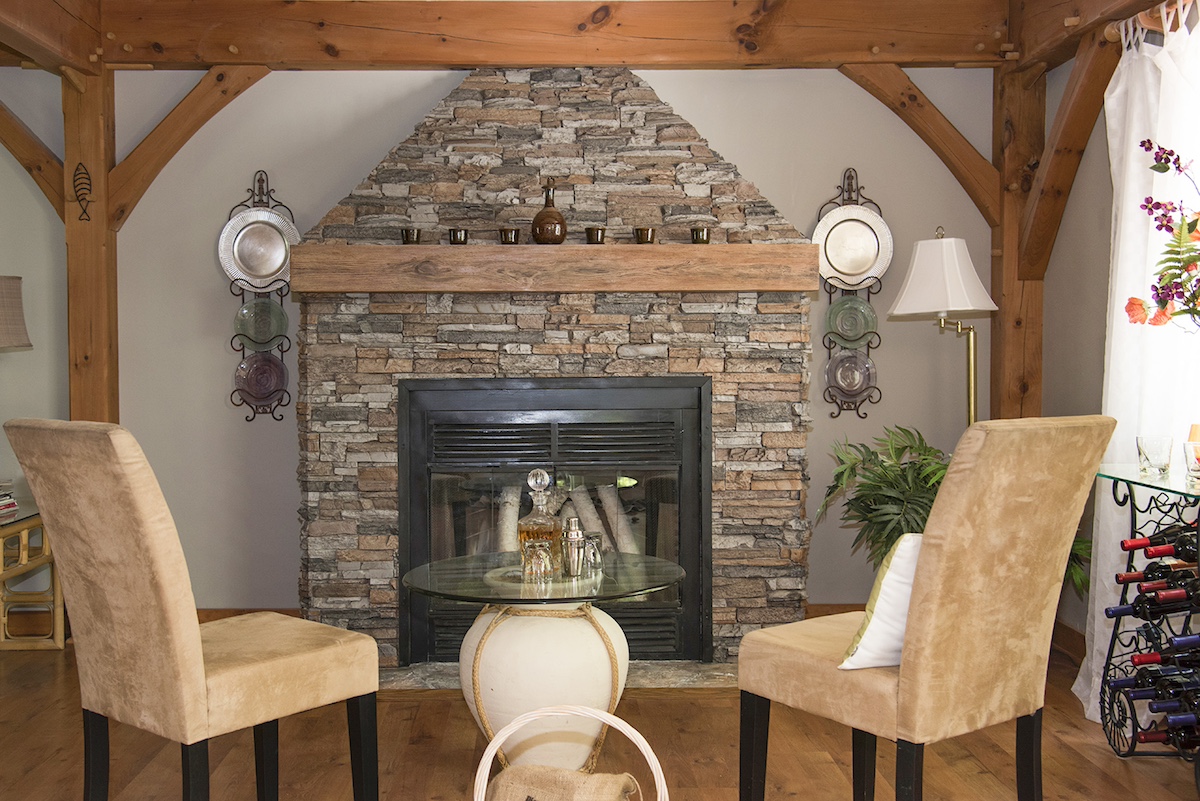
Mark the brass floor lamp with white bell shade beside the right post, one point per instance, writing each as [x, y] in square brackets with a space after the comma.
[943, 282]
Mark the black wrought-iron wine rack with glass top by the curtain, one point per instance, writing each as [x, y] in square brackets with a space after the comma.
[1153, 507]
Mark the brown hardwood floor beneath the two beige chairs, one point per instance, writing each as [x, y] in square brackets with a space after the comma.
[430, 749]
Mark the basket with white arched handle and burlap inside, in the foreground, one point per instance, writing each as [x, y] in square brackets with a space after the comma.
[545, 784]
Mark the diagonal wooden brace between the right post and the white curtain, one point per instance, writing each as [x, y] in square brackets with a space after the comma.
[1081, 107]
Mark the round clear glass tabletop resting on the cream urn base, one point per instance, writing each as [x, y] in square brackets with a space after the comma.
[496, 579]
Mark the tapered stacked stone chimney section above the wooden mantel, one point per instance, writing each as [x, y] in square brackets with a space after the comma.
[619, 155]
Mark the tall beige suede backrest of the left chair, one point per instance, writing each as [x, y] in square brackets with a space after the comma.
[124, 579]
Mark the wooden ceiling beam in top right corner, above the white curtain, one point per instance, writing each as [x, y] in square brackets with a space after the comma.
[1051, 31]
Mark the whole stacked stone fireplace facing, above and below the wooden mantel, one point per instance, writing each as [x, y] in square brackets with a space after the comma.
[621, 159]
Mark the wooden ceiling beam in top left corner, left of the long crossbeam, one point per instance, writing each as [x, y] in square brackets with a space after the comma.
[53, 34]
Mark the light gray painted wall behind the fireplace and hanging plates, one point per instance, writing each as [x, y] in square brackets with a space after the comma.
[232, 485]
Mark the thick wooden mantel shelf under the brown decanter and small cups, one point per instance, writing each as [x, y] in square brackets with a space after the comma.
[322, 268]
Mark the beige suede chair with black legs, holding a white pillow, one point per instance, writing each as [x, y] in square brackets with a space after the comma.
[979, 630]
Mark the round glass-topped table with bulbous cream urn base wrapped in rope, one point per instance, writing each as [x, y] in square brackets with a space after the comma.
[545, 646]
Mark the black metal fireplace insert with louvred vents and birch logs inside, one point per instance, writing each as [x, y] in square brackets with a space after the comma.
[628, 456]
